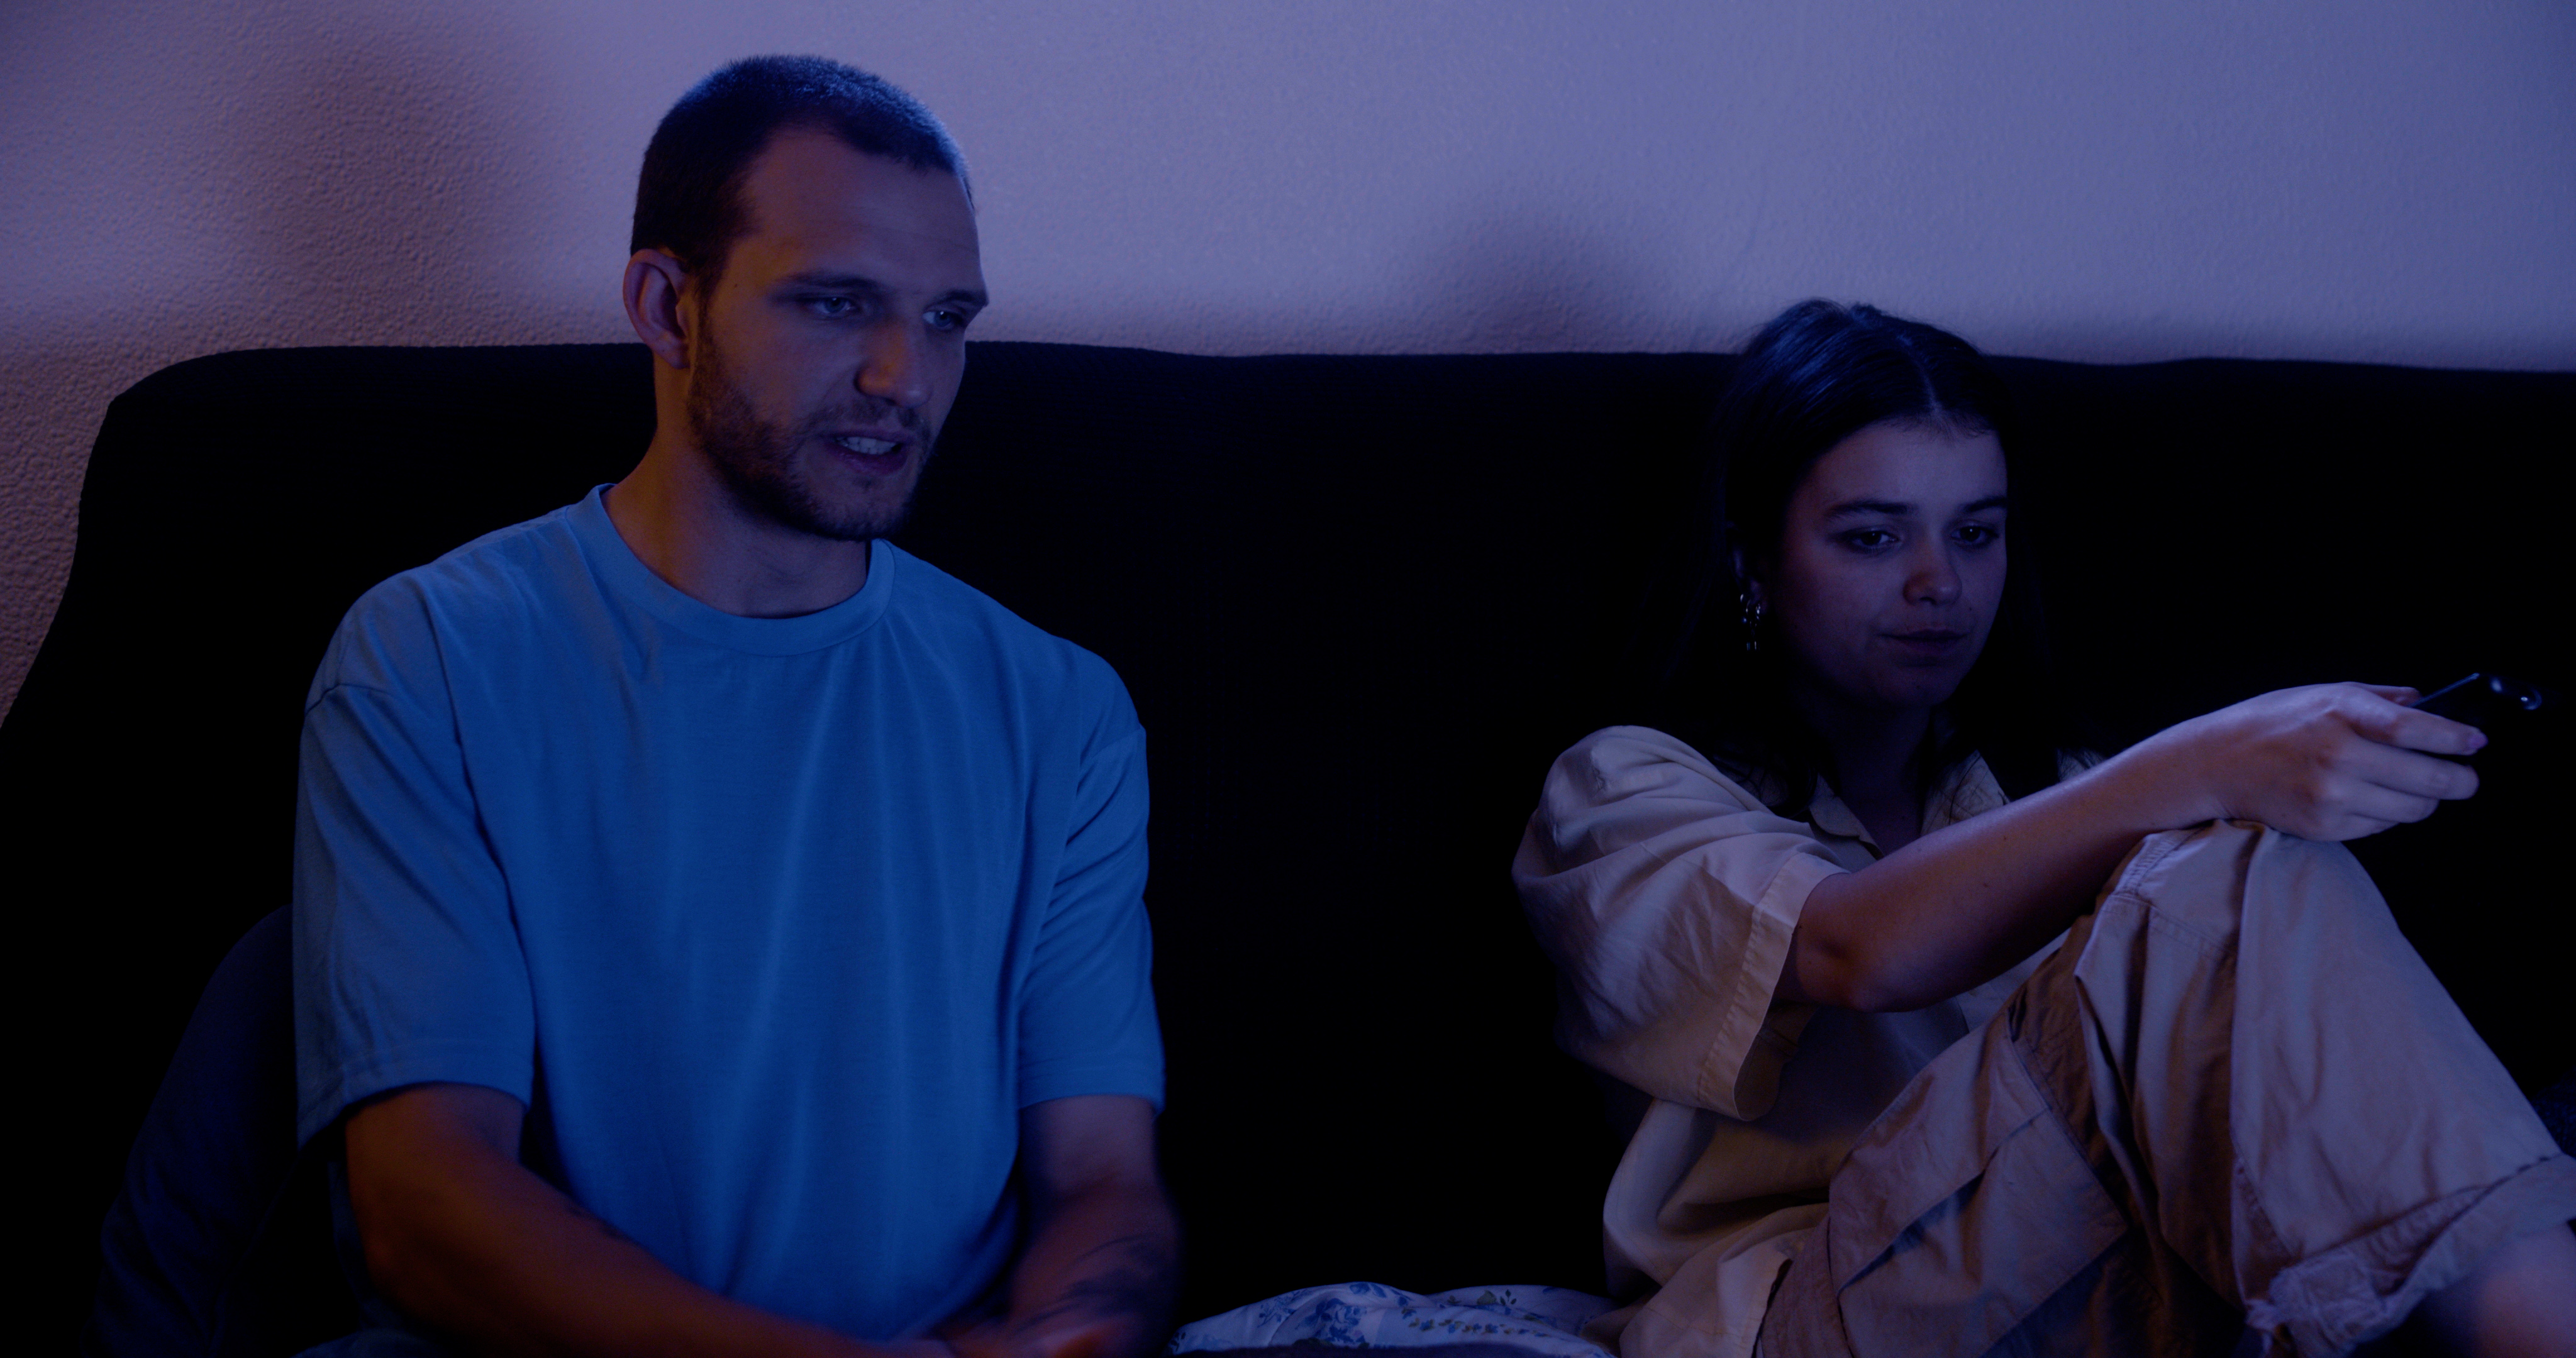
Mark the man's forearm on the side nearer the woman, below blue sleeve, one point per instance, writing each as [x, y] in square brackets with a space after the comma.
[1104, 1251]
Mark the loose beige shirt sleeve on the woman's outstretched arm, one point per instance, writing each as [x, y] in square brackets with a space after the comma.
[1668, 895]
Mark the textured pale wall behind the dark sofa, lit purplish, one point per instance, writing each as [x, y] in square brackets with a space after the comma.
[2320, 179]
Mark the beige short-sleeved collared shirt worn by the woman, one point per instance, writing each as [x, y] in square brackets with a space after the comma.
[1668, 895]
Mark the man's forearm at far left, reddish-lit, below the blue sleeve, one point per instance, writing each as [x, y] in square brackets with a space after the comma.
[468, 1241]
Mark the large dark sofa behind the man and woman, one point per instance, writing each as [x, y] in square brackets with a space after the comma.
[1359, 602]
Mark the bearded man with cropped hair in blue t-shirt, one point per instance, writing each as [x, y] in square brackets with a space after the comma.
[717, 929]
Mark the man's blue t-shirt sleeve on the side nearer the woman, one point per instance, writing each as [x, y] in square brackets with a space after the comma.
[1088, 1009]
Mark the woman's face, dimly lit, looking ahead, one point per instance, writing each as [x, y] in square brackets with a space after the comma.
[1892, 566]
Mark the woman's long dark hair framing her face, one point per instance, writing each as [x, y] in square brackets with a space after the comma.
[1815, 378]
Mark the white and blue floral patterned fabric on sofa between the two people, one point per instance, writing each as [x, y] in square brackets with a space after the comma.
[1374, 1315]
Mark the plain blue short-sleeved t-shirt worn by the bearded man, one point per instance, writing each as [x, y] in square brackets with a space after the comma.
[774, 924]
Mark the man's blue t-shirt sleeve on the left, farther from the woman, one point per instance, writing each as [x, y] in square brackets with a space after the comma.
[408, 968]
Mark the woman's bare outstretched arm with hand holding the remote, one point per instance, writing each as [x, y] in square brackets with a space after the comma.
[1964, 903]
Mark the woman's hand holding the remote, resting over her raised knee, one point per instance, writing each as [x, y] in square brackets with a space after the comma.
[2333, 761]
